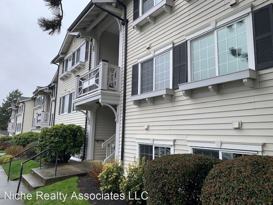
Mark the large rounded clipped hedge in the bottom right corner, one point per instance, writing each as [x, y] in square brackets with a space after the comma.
[244, 180]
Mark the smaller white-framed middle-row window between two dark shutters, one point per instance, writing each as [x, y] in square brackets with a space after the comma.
[155, 73]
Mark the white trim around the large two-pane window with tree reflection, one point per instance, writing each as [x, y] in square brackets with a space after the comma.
[214, 26]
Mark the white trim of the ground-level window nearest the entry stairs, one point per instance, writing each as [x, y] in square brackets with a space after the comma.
[168, 143]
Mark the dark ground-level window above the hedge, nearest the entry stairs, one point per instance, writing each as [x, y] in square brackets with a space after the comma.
[150, 152]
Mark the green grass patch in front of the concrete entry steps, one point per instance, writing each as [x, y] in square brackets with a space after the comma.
[67, 186]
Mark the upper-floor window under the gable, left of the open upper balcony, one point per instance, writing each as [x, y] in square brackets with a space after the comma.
[79, 55]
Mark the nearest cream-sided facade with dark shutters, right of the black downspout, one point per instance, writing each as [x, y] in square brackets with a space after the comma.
[199, 78]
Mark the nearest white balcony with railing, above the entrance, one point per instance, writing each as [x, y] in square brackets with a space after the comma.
[98, 85]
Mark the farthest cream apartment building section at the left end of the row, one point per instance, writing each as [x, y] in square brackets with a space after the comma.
[21, 116]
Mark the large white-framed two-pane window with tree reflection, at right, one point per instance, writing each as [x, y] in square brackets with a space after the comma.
[225, 49]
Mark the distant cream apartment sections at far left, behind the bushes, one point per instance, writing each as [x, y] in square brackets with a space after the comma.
[36, 112]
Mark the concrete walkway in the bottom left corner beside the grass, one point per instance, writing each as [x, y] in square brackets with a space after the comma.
[9, 188]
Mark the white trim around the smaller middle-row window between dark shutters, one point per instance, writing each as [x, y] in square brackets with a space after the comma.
[168, 48]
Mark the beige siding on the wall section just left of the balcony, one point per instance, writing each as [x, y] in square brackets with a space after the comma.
[67, 86]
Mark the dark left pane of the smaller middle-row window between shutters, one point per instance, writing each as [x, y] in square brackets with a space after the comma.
[147, 76]
